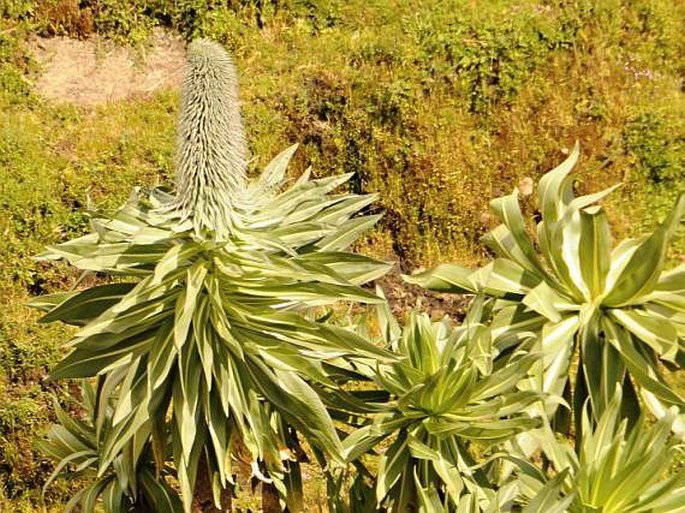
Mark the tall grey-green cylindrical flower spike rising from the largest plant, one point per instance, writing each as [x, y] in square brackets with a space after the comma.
[212, 153]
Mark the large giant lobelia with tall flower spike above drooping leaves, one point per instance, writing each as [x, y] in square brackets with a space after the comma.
[199, 343]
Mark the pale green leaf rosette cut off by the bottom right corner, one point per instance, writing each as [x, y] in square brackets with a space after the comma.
[615, 470]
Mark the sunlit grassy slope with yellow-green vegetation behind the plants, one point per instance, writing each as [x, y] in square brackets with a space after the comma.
[437, 108]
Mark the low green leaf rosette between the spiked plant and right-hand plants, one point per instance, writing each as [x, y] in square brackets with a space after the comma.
[450, 404]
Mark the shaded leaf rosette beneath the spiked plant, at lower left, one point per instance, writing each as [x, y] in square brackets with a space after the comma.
[131, 483]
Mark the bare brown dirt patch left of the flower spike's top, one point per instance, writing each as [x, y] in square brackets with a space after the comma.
[94, 71]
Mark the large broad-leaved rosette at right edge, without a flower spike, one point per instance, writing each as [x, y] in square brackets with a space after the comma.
[618, 309]
